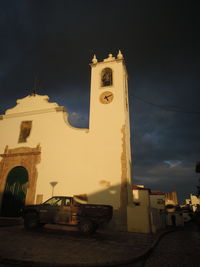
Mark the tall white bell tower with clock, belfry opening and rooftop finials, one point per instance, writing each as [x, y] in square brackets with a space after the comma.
[110, 131]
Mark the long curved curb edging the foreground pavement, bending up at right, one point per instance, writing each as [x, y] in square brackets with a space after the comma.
[141, 256]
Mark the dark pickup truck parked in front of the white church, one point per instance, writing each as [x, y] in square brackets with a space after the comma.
[67, 211]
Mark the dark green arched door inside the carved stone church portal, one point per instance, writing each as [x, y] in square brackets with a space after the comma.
[15, 192]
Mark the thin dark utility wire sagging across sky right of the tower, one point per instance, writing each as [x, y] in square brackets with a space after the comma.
[167, 107]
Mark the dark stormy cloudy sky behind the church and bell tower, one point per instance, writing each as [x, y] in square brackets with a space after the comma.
[55, 42]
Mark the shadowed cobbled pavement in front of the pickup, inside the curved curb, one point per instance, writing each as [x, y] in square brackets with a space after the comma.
[53, 247]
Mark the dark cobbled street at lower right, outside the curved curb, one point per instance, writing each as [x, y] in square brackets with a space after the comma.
[177, 249]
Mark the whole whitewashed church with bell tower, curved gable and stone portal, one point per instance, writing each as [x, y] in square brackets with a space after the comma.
[42, 155]
